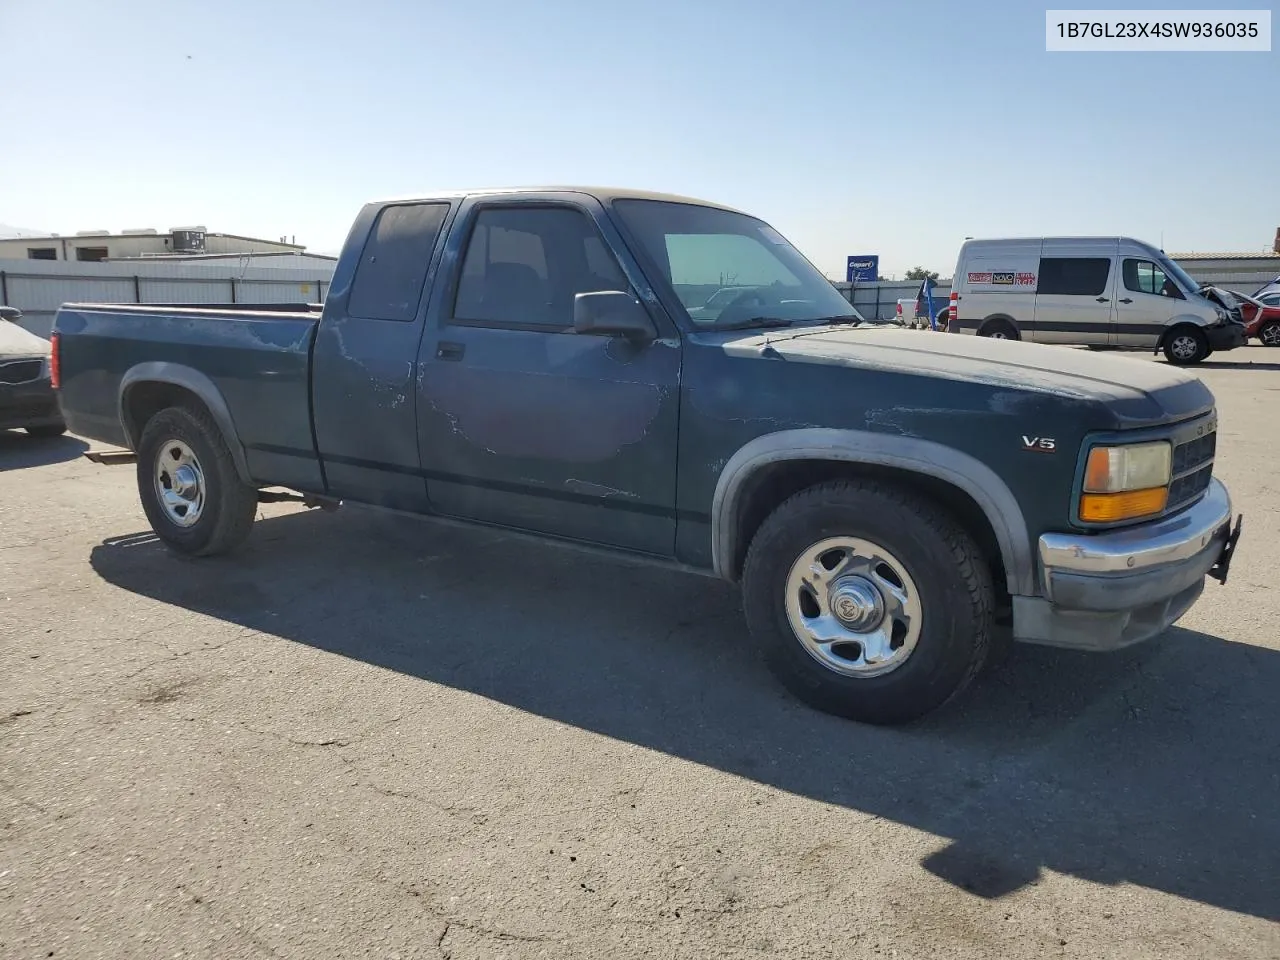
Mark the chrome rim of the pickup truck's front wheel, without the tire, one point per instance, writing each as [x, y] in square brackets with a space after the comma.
[854, 607]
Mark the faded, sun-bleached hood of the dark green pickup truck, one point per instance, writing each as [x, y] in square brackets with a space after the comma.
[1135, 391]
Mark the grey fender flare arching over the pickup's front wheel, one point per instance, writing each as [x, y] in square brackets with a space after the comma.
[917, 456]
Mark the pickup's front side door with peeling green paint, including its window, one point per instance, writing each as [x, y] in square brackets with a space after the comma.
[523, 422]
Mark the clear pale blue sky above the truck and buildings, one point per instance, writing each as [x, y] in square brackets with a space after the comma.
[892, 129]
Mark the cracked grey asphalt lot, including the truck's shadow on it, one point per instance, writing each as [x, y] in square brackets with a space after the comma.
[368, 737]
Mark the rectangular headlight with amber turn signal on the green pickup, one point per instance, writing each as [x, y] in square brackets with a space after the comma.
[1126, 483]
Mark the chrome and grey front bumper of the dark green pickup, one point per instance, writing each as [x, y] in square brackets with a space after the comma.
[1109, 591]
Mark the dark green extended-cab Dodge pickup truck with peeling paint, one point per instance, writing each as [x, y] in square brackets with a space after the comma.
[566, 363]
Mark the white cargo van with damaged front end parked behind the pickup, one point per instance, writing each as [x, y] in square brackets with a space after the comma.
[1103, 292]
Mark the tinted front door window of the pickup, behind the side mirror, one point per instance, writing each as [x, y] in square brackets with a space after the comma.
[525, 266]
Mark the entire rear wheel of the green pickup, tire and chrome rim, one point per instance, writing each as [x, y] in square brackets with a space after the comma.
[190, 490]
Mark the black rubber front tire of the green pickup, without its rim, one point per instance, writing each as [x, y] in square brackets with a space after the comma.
[957, 601]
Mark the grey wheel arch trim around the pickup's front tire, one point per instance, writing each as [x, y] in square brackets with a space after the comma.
[770, 469]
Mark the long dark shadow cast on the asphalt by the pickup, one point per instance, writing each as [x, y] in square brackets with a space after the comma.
[1154, 766]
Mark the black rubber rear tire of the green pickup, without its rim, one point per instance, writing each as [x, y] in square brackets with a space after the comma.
[228, 505]
